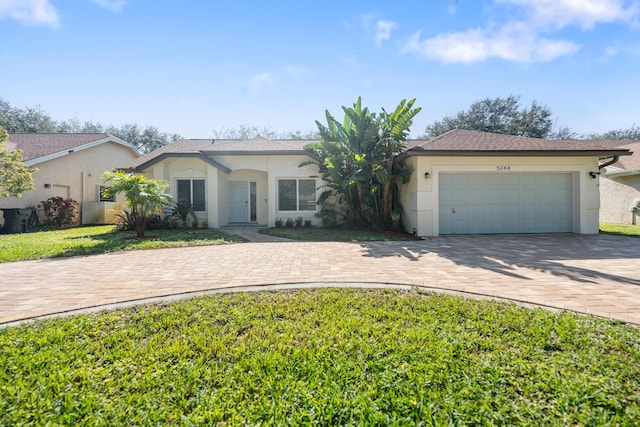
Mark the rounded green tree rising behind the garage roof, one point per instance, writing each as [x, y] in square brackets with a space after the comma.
[499, 115]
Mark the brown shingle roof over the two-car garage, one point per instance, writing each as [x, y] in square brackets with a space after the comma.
[468, 142]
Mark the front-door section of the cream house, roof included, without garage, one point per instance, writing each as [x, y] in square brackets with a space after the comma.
[237, 181]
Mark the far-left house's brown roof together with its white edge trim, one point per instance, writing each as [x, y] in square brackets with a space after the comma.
[44, 146]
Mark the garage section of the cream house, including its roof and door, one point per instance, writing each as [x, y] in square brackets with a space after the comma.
[468, 182]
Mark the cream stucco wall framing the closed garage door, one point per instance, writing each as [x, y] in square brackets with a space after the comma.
[420, 196]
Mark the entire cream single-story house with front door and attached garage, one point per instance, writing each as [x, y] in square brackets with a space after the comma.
[463, 182]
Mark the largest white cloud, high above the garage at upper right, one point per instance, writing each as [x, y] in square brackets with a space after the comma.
[528, 36]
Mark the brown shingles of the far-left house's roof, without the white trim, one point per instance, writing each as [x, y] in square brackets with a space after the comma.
[36, 145]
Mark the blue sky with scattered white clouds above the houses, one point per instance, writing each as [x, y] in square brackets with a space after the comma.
[192, 67]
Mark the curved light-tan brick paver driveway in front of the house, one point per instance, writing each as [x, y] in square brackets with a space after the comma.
[595, 274]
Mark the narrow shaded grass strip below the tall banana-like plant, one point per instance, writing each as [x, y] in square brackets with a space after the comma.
[334, 234]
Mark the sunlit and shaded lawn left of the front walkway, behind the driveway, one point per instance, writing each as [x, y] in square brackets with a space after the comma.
[101, 239]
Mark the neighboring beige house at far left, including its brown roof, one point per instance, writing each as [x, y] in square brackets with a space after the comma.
[70, 165]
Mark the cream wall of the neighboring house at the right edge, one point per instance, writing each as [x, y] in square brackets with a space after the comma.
[617, 195]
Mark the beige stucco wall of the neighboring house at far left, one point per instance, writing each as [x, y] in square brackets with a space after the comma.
[76, 175]
